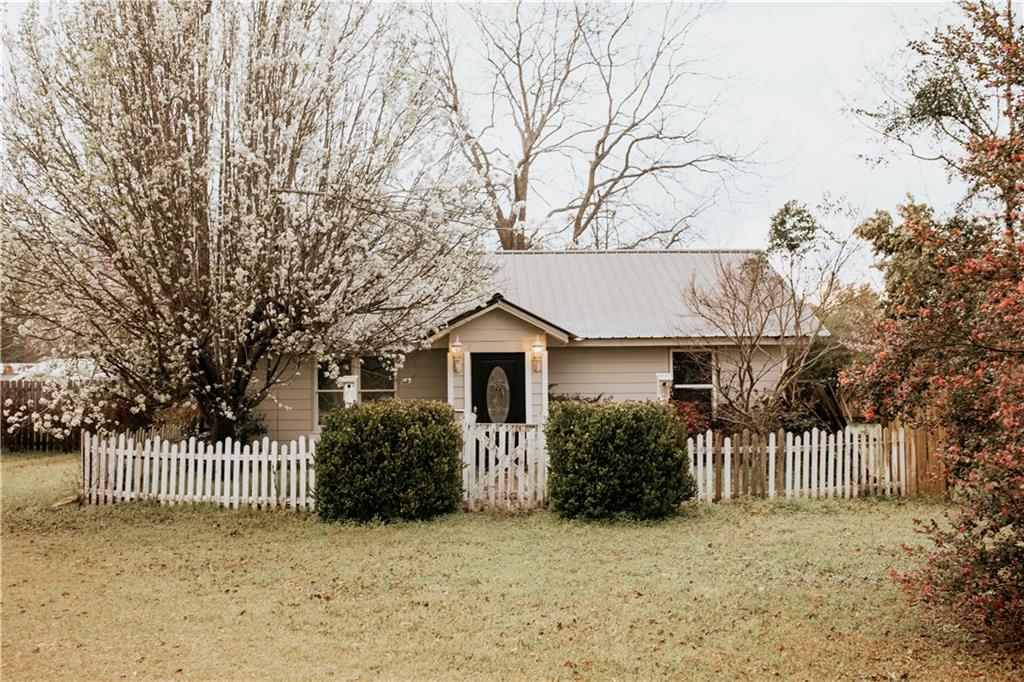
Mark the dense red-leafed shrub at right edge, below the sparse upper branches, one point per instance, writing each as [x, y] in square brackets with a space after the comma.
[951, 352]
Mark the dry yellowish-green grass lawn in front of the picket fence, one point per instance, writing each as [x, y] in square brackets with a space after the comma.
[748, 591]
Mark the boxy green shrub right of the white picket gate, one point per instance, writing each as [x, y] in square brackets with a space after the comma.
[617, 459]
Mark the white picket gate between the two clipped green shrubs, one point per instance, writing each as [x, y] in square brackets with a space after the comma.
[505, 466]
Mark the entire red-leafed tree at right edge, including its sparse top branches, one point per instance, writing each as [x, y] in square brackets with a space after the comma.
[951, 349]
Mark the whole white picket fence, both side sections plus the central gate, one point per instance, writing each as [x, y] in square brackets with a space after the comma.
[505, 466]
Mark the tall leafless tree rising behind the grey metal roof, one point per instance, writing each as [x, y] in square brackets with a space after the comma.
[585, 121]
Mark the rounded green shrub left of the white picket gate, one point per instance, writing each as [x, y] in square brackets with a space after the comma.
[390, 460]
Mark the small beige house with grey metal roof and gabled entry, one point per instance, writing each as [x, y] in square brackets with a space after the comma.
[609, 324]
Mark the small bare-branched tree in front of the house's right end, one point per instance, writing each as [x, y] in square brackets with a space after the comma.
[766, 314]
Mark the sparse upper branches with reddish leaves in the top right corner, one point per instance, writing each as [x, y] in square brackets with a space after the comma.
[961, 104]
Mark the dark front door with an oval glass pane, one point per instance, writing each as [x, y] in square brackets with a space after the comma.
[499, 388]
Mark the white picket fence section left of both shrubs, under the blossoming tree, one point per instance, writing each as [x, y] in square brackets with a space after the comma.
[263, 474]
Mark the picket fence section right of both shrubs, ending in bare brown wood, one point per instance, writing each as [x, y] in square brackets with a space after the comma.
[897, 461]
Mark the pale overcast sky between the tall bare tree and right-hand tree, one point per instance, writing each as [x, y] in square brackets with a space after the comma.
[790, 72]
